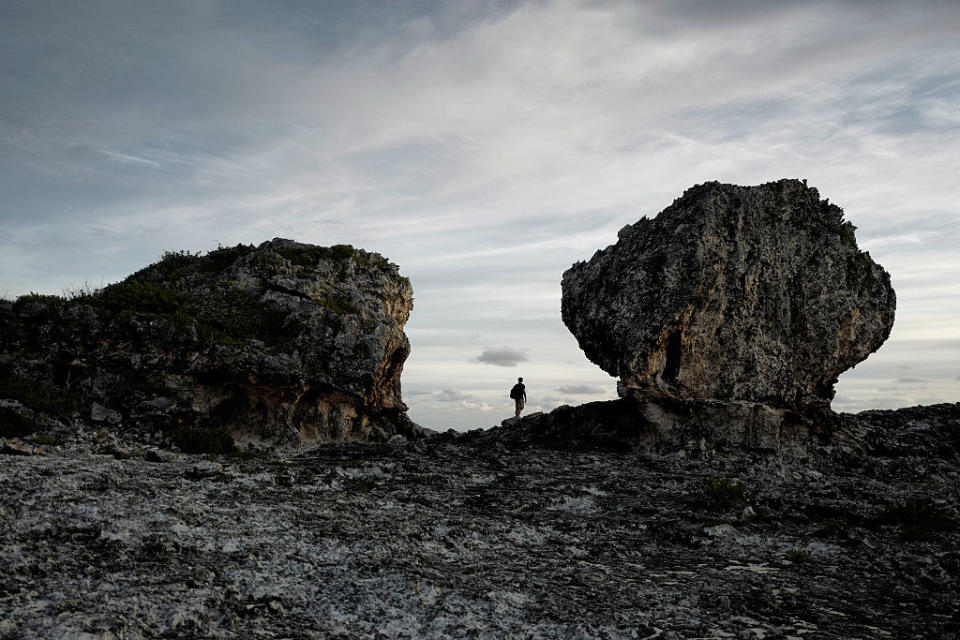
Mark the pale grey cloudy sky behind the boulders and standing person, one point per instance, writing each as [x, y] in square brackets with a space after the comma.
[484, 146]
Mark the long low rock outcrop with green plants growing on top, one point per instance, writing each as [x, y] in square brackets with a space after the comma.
[285, 342]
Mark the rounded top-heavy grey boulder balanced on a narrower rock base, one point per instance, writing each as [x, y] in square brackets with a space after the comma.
[732, 293]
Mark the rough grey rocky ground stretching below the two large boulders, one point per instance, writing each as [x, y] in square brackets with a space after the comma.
[468, 537]
